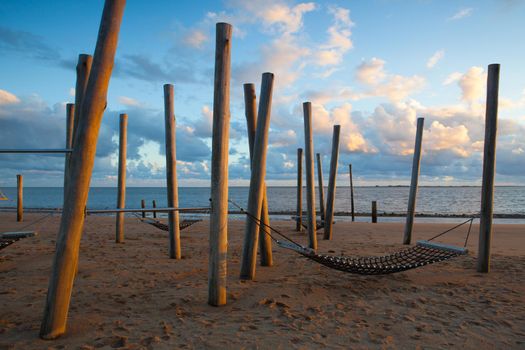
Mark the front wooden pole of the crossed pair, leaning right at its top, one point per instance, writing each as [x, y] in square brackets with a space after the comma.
[256, 193]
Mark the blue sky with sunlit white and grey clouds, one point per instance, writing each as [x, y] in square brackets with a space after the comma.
[371, 66]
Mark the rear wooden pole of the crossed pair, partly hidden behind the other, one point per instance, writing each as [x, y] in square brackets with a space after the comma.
[265, 241]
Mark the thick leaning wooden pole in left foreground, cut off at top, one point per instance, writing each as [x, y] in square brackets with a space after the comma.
[82, 159]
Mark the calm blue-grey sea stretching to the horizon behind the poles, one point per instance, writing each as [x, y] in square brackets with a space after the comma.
[434, 201]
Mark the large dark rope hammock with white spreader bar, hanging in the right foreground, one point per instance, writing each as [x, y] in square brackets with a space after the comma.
[423, 253]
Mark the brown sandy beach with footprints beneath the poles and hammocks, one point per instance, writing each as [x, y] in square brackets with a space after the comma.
[132, 296]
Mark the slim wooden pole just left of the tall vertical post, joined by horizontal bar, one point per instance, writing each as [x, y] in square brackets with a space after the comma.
[171, 172]
